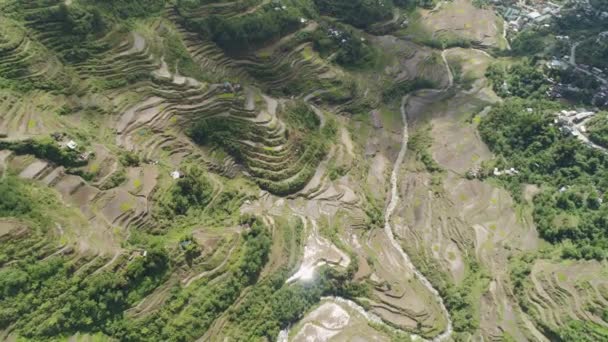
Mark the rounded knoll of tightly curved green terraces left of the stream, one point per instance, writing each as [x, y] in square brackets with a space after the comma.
[307, 142]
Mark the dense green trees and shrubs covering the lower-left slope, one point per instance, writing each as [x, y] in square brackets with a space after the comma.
[46, 299]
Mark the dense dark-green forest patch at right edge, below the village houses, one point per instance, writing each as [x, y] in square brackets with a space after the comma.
[573, 176]
